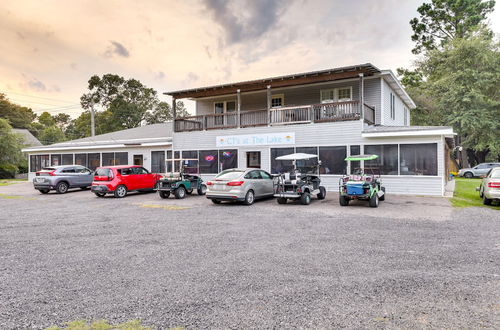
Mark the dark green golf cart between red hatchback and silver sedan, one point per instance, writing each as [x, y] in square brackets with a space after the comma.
[180, 183]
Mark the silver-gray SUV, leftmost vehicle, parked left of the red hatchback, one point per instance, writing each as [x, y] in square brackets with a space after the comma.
[62, 178]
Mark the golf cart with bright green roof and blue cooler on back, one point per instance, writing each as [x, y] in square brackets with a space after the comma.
[363, 184]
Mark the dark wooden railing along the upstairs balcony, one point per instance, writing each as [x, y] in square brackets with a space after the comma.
[315, 113]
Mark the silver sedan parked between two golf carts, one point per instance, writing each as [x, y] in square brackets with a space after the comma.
[245, 185]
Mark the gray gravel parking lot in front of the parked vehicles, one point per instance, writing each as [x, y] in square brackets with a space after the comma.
[414, 262]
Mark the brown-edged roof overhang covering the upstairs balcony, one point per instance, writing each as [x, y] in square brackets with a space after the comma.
[281, 81]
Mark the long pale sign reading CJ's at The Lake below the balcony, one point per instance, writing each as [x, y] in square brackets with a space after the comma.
[255, 139]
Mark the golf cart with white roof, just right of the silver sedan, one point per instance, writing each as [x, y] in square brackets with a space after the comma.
[301, 182]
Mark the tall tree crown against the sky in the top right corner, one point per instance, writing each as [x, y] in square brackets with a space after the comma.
[441, 21]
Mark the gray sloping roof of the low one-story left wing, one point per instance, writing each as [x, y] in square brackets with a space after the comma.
[143, 135]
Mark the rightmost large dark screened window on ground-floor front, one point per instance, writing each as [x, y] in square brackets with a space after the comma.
[418, 159]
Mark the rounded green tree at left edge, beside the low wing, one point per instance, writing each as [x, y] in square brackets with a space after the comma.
[11, 156]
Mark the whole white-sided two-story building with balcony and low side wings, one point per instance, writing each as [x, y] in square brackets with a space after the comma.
[332, 113]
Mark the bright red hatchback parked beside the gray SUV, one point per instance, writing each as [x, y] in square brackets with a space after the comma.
[119, 180]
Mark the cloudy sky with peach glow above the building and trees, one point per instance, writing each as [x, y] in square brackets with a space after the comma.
[49, 49]
